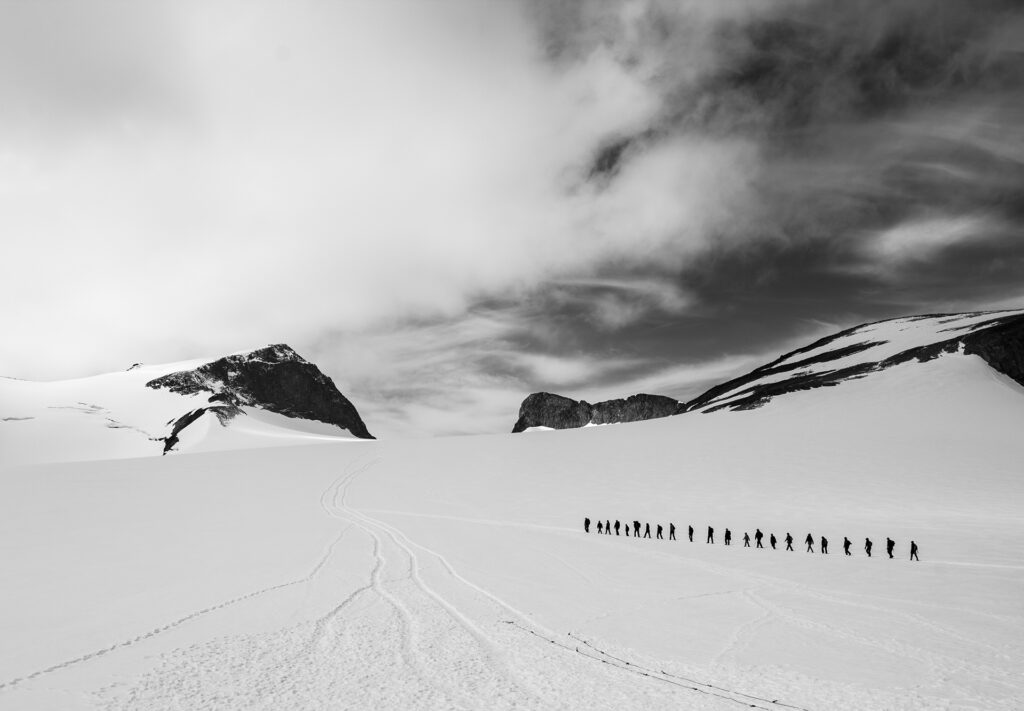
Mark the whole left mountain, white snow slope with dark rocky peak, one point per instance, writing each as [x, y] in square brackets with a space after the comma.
[263, 398]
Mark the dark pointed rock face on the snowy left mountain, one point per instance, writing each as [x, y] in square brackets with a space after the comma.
[275, 379]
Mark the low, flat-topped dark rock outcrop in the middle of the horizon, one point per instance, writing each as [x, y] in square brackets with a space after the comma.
[548, 410]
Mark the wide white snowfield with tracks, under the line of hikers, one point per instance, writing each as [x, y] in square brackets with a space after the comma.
[455, 573]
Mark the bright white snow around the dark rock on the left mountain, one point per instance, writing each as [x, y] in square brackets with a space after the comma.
[115, 415]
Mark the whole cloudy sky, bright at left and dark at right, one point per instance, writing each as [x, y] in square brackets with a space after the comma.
[450, 205]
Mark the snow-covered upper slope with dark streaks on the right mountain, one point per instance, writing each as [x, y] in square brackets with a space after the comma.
[889, 339]
